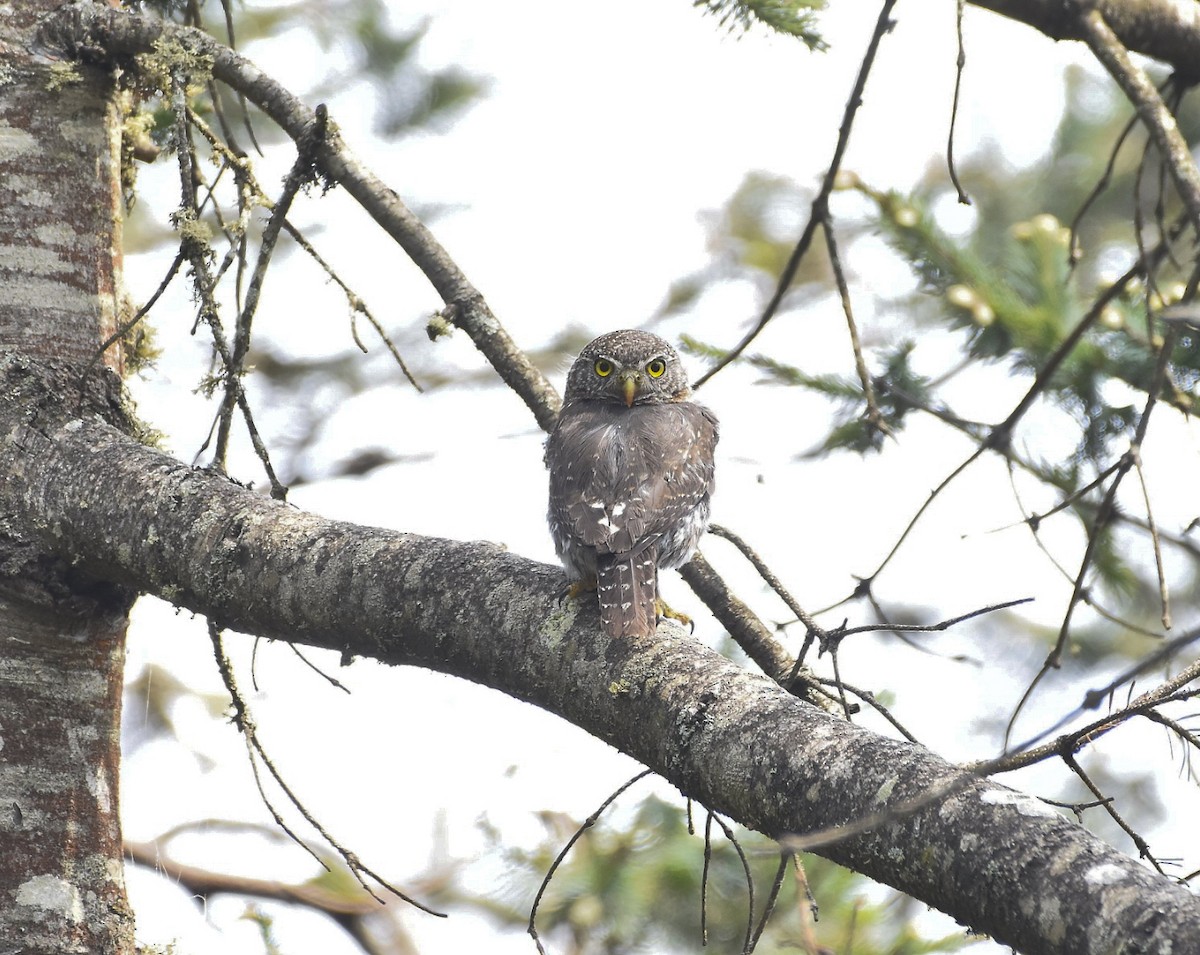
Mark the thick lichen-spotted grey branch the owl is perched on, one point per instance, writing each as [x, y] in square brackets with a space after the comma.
[999, 862]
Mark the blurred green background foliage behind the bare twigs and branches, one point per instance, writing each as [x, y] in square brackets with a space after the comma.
[1006, 287]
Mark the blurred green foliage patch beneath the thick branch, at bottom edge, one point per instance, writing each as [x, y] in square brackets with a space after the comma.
[639, 890]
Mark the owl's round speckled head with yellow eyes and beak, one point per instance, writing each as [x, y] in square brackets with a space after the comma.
[628, 368]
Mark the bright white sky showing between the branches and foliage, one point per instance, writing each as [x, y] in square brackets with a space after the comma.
[577, 190]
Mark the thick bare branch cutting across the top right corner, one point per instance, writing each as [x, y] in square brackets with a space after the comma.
[1166, 31]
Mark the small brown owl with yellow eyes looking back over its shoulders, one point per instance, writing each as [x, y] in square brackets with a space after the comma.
[631, 466]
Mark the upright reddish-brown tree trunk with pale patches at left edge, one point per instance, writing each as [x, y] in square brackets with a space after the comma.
[62, 638]
